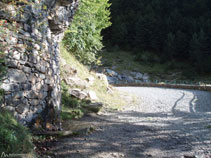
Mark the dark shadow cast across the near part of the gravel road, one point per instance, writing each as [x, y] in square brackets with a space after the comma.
[133, 134]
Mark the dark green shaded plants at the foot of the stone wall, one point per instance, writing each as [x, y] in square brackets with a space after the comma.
[14, 138]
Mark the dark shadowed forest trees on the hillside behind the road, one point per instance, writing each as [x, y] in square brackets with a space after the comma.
[175, 30]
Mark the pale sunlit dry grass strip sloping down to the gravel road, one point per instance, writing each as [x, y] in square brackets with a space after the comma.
[110, 100]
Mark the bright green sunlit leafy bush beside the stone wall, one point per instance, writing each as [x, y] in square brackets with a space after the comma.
[83, 38]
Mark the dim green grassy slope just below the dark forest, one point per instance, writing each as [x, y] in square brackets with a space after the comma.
[122, 61]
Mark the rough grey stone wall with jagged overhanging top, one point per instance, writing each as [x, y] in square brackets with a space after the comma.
[32, 83]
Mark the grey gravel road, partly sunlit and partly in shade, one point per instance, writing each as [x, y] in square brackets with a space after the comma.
[160, 123]
